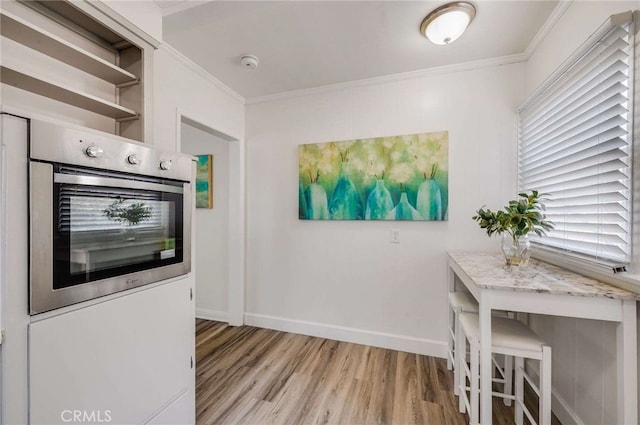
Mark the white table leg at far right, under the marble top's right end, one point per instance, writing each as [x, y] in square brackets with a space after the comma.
[627, 364]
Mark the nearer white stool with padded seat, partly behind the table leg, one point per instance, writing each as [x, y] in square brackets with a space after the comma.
[510, 338]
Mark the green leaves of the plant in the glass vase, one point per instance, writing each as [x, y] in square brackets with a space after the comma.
[520, 217]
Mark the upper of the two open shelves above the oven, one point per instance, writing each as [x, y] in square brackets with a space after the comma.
[38, 39]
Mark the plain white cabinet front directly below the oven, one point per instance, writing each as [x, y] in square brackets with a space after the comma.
[126, 359]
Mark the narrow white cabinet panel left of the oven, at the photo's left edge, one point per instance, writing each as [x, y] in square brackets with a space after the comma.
[14, 288]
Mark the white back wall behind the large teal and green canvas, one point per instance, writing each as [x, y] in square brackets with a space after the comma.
[345, 280]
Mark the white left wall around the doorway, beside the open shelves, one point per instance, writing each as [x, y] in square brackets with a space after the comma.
[183, 91]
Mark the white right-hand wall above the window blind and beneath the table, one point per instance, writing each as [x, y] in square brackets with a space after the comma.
[584, 351]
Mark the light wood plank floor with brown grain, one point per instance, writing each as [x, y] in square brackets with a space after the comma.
[253, 376]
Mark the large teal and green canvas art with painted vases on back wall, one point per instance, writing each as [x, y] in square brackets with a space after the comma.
[384, 178]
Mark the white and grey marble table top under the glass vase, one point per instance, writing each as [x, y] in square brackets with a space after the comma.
[488, 270]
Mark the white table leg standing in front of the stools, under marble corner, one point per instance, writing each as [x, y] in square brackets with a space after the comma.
[485, 358]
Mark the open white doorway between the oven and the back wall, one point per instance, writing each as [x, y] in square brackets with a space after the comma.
[219, 231]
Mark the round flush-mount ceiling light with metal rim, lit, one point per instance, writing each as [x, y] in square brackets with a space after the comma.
[448, 22]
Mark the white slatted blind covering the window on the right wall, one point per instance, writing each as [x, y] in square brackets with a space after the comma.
[575, 146]
